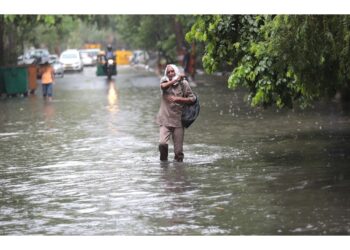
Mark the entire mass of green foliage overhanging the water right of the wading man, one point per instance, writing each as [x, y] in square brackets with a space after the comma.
[282, 60]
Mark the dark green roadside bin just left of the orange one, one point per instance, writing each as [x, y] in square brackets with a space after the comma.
[16, 80]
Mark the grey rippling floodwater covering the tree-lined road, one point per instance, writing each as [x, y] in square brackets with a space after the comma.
[88, 164]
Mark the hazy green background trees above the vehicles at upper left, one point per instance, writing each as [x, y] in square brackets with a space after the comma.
[161, 33]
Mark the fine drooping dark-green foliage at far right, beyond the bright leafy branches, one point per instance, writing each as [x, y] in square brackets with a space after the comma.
[316, 48]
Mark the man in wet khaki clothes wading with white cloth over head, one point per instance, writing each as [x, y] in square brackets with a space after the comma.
[176, 92]
